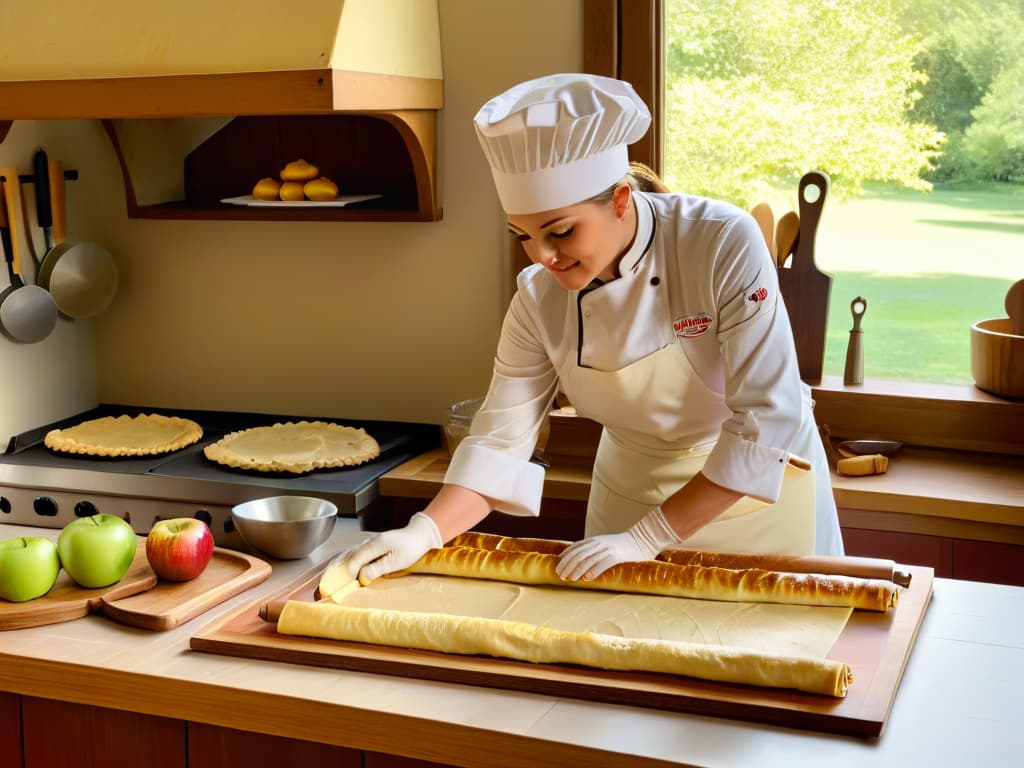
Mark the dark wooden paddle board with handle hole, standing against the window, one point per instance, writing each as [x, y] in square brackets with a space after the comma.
[806, 290]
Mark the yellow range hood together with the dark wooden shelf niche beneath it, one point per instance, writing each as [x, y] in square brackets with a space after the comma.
[353, 88]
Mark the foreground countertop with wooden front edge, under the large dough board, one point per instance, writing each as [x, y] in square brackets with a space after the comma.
[958, 703]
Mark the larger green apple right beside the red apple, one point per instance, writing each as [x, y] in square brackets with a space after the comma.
[97, 551]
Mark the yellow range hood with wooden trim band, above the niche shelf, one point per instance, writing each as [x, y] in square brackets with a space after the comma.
[123, 59]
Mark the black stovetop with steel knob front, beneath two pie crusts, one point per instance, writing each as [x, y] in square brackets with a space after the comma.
[45, 488]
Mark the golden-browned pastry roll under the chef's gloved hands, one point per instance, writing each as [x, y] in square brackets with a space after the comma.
[751, 585]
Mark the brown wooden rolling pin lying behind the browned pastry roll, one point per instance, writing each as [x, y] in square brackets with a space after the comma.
[860, 568]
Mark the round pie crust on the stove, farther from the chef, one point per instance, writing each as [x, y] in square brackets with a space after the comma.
[146, 435]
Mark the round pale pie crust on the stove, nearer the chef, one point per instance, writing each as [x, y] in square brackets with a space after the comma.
[294, 447]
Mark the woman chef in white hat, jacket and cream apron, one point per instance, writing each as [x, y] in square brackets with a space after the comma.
[659, 316]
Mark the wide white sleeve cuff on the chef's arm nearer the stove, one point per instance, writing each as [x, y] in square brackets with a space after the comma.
[516, 486]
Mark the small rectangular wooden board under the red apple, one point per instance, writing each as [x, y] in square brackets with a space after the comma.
[172, 604]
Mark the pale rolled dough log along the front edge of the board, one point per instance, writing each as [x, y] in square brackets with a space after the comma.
[496, 637]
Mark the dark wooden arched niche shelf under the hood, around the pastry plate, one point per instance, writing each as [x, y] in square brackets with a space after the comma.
[393, 154]
